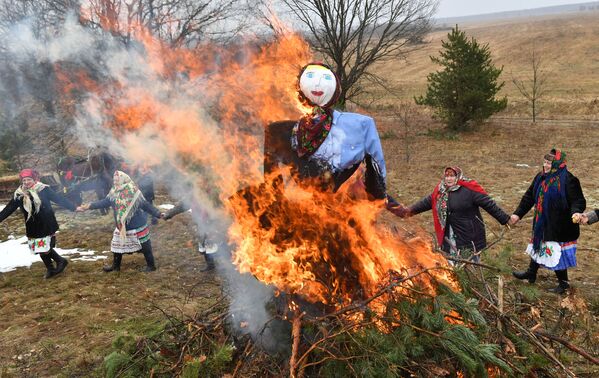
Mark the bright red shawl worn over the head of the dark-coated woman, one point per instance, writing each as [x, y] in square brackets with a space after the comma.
[440, 198]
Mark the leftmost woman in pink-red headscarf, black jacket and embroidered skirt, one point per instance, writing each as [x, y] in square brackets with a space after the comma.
[34, 198]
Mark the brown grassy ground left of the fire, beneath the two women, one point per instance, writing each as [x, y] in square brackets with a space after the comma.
[65, 326]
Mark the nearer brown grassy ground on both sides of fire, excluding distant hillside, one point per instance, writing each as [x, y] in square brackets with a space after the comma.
[64, 326]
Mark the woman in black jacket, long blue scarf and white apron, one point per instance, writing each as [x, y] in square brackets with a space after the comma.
[556, 196]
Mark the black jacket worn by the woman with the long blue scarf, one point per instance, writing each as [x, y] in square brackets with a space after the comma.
[560, 227]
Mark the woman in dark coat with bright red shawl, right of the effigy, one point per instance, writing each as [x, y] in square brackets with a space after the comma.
[456, 203]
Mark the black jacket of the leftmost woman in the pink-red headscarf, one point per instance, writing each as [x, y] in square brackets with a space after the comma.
[43, 223]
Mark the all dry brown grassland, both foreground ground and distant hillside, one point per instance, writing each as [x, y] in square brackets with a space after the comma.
[65, 326]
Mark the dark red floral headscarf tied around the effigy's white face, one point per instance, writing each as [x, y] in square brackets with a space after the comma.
[313, 128]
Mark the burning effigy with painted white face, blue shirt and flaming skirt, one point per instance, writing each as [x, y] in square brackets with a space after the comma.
[311, 228]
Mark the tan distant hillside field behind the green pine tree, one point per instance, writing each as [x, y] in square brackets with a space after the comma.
[568, 46]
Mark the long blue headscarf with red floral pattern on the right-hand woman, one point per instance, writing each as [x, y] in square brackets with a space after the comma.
[550, 191]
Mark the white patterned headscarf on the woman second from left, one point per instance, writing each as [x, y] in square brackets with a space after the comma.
[126, 196]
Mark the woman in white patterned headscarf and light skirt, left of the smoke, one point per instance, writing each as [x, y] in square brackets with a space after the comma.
[132, 233]
